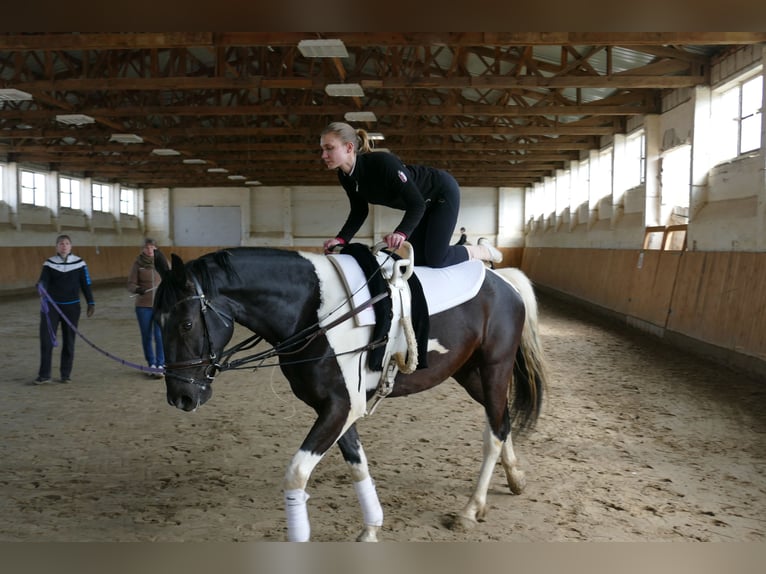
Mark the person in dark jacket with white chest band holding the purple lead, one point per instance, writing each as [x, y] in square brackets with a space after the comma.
[63, 276]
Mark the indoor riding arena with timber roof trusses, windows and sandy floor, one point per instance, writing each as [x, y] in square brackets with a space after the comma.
[637, 212]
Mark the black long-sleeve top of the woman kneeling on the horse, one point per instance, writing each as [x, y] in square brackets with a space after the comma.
[381, 178]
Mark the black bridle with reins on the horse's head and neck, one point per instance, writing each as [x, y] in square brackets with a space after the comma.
[292, 345]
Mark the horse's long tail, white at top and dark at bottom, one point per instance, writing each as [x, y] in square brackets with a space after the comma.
[529, 369]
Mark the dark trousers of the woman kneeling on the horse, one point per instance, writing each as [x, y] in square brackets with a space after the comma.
[431, 238]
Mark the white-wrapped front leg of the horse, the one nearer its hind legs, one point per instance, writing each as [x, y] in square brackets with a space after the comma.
[372, 512]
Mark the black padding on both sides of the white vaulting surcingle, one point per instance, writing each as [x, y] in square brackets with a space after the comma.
[383, 309]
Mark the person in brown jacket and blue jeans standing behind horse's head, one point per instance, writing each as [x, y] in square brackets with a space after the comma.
[143, 280]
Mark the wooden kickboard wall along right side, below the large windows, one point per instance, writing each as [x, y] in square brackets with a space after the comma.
[718, 298]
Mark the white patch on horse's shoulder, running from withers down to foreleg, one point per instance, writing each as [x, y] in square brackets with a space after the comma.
[346, 337]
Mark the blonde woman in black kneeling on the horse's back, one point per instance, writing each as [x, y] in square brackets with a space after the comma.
[429, 197]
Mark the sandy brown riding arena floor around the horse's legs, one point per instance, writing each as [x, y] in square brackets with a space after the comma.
[636, 443]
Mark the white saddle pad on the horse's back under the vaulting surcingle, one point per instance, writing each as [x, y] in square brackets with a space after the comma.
[444, 288]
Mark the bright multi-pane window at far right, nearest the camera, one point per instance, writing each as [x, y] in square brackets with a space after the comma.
[736, 117]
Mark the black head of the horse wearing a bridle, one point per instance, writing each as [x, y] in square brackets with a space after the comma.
[195, 330]
